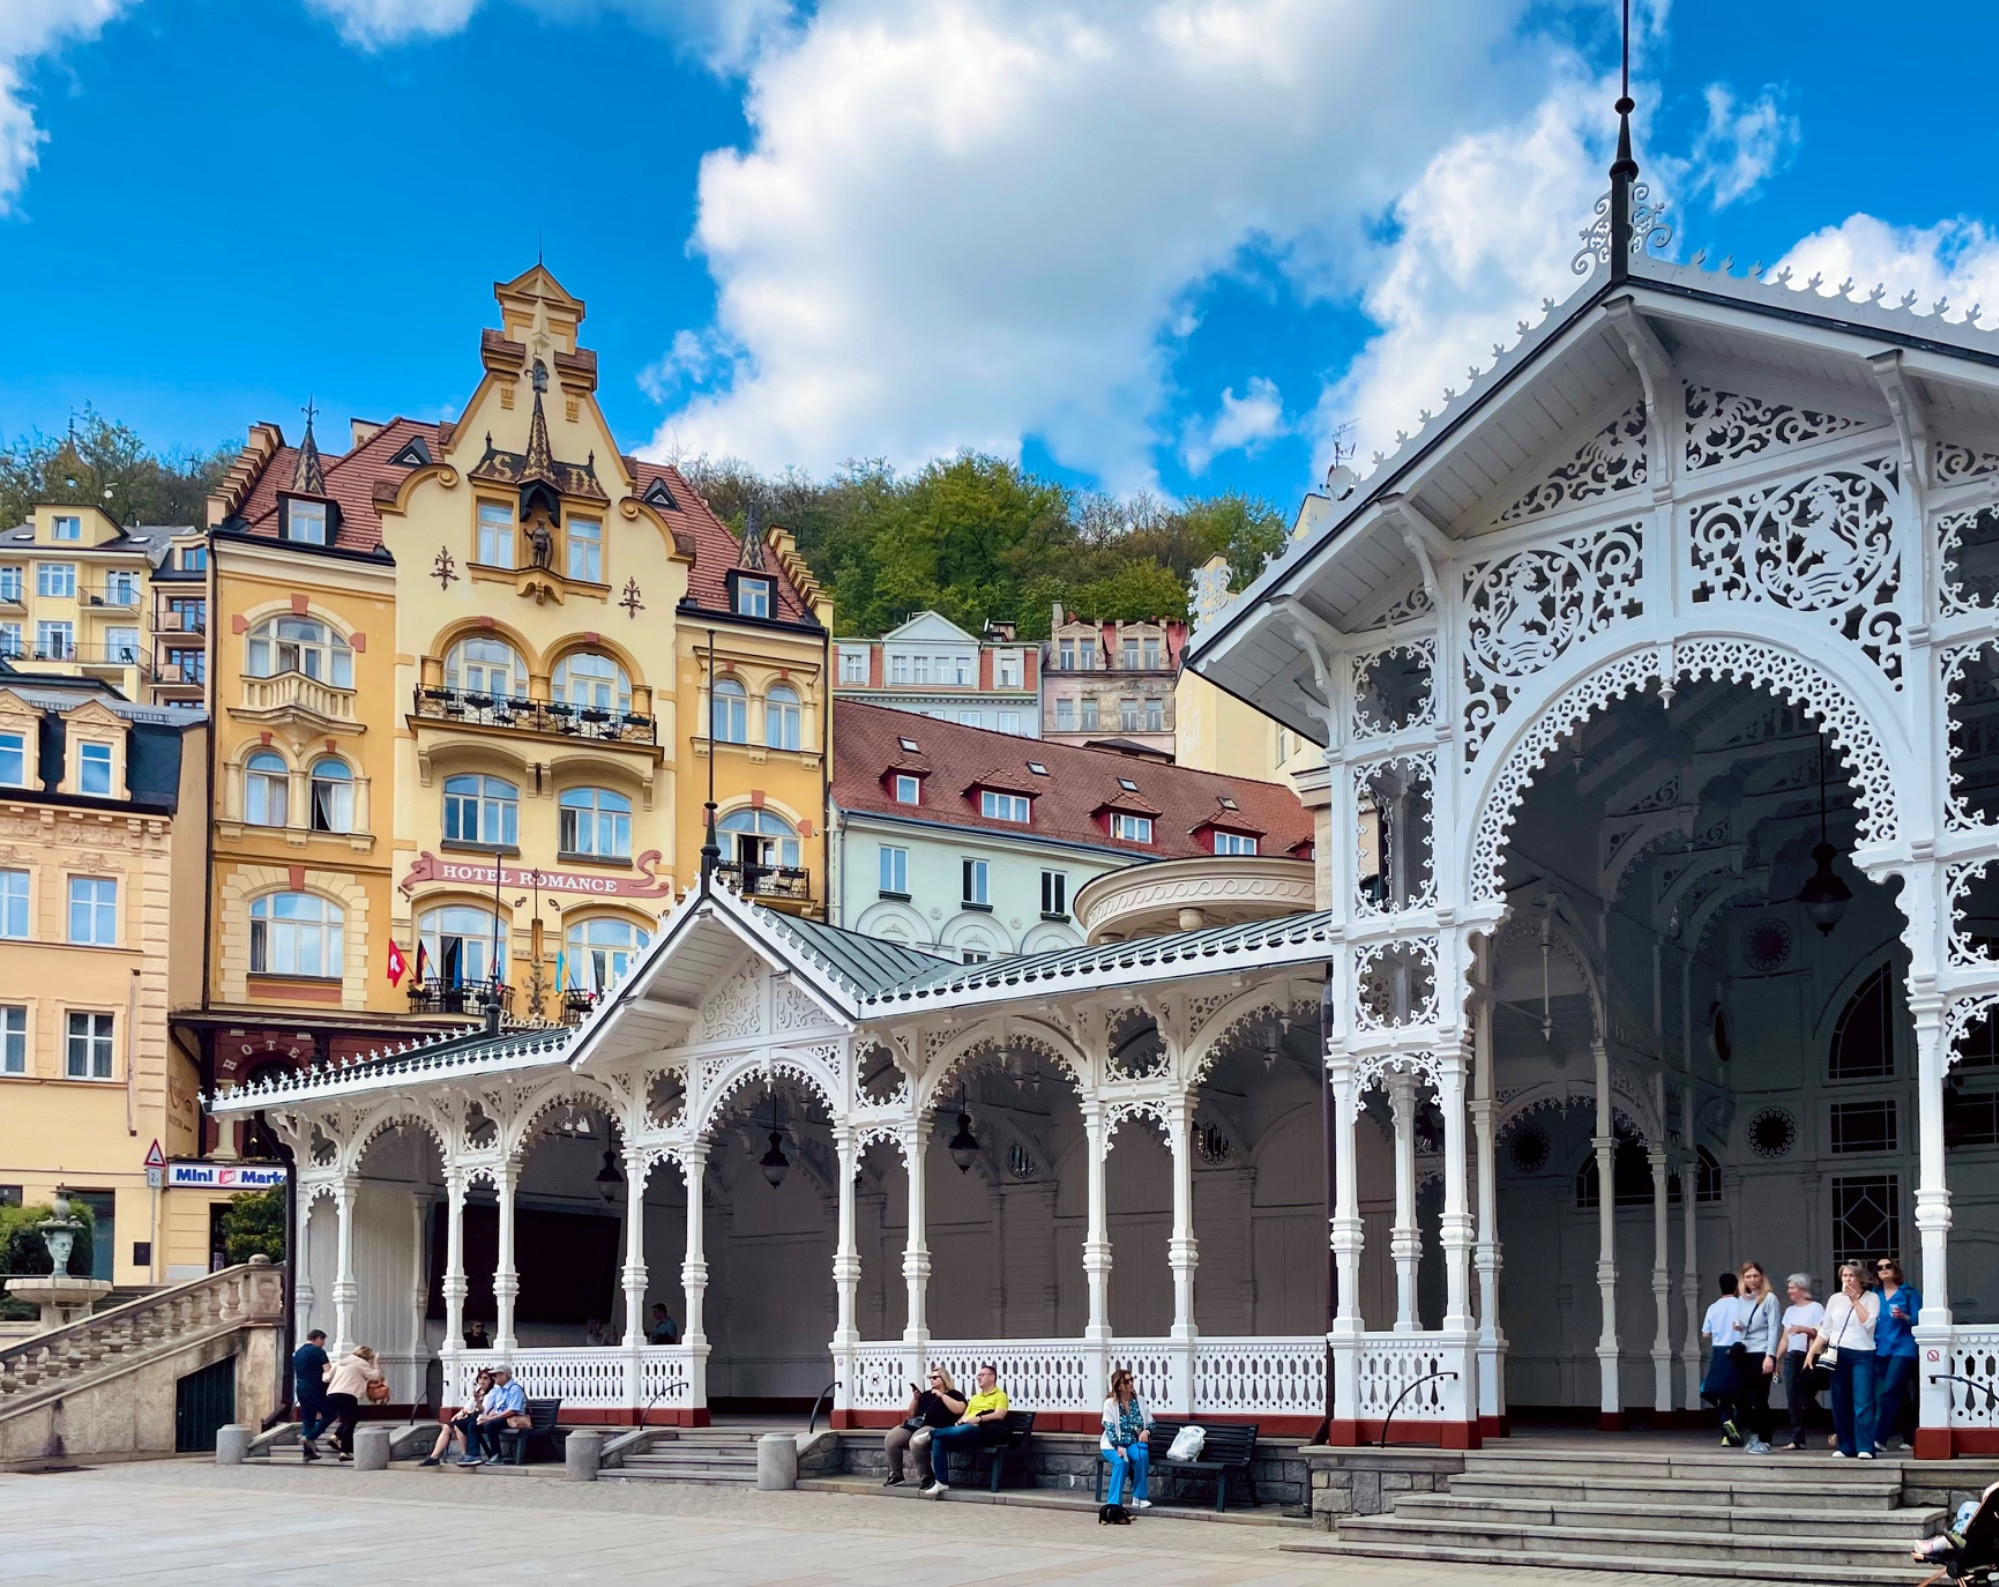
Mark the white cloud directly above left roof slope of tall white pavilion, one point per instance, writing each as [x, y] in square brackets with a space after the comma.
[1488, 229]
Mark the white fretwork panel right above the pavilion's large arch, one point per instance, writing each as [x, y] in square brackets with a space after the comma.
[1824, 545]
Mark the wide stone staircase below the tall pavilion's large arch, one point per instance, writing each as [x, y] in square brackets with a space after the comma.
[1722, 1514]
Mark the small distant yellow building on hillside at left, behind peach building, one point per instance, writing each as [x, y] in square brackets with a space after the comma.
[77, 595]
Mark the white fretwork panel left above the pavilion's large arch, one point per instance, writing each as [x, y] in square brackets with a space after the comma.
[1524, 611]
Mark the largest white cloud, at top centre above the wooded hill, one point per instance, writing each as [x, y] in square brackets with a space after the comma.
[963, 223]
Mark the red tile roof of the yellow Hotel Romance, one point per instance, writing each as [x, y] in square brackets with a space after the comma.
[355, 479]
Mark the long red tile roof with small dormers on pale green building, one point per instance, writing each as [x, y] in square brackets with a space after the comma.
[1066, 802]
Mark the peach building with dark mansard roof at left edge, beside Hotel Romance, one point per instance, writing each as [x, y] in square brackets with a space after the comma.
[101, 856]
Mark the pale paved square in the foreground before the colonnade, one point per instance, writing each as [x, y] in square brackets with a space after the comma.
[187, 1524]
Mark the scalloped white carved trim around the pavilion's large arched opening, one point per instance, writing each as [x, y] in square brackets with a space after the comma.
[1786, 671]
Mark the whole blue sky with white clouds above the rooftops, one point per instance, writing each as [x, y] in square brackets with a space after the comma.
[1152, 245]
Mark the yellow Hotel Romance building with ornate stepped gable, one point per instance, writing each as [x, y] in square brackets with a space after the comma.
[459, 679]
